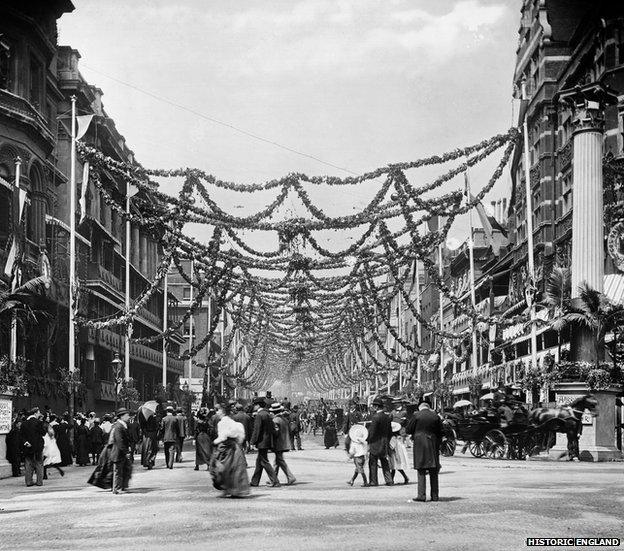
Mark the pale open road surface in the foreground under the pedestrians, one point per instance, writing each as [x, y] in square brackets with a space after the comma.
[484, 504]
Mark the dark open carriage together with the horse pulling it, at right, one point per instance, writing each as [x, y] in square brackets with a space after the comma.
[490, 434]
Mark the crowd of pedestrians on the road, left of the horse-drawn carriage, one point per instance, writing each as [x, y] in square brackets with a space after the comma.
[224, 437]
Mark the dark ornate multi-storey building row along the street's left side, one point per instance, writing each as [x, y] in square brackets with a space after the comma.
[37, 79]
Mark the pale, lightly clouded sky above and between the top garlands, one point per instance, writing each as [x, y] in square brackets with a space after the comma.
[356, 84]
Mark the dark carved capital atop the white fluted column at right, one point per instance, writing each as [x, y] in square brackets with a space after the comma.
[587, 103]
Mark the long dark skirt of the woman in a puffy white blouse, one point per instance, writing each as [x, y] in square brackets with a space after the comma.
[228, 469]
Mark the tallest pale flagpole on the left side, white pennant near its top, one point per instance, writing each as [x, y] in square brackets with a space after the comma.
[72, 255]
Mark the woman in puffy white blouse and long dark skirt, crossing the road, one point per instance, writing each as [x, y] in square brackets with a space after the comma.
[228, 466]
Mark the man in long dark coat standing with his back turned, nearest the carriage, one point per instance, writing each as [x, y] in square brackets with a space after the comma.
[425, 427]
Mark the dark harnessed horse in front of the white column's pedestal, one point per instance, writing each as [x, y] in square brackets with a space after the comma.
[565, 420]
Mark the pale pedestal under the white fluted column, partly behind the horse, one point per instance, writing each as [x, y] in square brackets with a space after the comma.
[597, 441]
